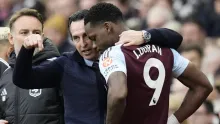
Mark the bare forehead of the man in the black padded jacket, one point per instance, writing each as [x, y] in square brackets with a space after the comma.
[27, 22]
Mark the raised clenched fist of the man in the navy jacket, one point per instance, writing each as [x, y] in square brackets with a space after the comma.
[34, 41]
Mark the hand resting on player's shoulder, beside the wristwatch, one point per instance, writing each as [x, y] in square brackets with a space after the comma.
[131, 37]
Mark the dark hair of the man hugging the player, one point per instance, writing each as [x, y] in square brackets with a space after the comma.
[79, 15]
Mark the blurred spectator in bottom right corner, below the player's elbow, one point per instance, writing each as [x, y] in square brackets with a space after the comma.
[204, 115]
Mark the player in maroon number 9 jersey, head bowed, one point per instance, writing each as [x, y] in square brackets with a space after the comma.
[139, 77]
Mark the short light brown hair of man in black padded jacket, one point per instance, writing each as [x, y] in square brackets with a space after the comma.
[25, 12]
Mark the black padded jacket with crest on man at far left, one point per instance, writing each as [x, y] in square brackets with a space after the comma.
[36, 106]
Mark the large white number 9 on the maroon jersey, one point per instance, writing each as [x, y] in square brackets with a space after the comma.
[157, 84]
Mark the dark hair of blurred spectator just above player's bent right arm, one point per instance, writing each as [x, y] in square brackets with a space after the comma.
[195, 47]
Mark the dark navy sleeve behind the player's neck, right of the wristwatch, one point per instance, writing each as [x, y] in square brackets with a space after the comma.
[165, 37]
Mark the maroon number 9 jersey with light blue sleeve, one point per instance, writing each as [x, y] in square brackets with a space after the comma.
[149, 71]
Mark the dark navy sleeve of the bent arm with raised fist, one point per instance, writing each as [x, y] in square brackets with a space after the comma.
[26, 76]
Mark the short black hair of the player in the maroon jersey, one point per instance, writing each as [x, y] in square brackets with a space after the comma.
[103, 12]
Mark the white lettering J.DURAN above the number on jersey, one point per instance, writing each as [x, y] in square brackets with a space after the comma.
[147, 49]
